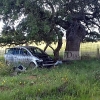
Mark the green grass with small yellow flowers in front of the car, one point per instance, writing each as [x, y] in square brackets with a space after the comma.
[79, 80]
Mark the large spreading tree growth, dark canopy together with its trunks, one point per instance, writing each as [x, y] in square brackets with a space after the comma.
[42, 17]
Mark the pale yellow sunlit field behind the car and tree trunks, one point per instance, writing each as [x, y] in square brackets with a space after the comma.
[85, 48]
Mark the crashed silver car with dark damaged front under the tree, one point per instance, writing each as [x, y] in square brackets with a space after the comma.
[28, 55]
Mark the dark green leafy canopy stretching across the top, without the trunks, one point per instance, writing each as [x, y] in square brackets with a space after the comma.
[42, 16]
